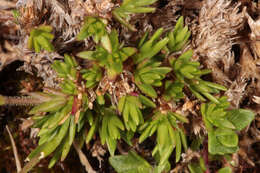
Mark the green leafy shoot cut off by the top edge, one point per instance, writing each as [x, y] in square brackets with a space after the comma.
[129, 7]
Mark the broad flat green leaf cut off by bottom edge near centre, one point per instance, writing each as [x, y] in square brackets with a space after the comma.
[130, 163]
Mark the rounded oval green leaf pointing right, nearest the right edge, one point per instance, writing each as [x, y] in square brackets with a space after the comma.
[240, 118]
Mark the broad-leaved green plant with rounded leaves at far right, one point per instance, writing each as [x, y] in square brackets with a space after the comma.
[222, 125]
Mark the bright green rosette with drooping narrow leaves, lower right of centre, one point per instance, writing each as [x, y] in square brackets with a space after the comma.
[169, 135]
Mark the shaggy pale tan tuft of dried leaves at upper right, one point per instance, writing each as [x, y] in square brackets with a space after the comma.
[219, 22]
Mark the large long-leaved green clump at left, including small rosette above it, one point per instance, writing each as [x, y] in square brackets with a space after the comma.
[65, 109]
